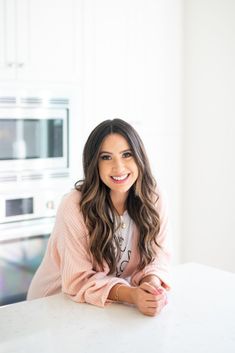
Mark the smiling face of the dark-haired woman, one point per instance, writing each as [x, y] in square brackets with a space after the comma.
[117, 167]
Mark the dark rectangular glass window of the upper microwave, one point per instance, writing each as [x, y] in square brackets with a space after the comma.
[31, 138]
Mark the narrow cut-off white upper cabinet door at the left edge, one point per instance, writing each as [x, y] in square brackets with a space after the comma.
[7, 39]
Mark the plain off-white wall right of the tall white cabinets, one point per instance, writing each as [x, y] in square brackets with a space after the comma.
[209, 133]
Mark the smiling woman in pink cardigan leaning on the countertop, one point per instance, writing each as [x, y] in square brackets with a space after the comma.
[109, 239]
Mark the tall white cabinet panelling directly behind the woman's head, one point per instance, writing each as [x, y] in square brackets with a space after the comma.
[132, 69]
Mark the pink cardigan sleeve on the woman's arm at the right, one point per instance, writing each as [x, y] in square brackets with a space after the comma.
[160, 267]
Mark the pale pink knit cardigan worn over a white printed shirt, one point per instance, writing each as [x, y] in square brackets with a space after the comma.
[68, 265]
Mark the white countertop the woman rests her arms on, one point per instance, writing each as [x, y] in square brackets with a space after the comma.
[200, 317]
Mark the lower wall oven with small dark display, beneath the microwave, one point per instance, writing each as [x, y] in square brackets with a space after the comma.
[27, 215]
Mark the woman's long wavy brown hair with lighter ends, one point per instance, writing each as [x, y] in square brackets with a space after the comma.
[96, 204]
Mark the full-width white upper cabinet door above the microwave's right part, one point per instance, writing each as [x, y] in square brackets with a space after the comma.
[46, 41]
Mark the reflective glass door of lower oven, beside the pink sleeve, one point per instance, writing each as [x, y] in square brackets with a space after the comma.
[19, 260]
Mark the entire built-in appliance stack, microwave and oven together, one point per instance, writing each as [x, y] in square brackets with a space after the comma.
[34, 175]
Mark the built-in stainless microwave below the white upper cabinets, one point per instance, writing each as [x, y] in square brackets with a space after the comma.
[33, 134]
